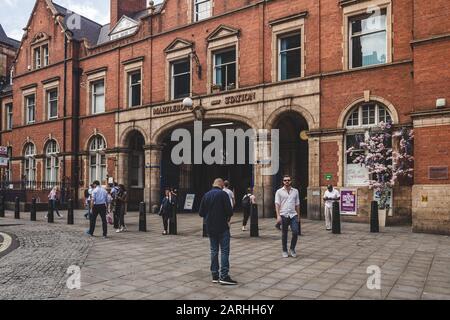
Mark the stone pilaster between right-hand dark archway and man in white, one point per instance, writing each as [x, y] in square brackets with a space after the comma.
[314, 191]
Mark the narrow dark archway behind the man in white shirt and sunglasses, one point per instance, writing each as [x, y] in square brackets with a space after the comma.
[294, 154]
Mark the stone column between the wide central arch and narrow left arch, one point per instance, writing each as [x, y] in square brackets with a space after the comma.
[152, 190]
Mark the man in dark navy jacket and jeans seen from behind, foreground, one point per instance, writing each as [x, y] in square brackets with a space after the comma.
[216, 209]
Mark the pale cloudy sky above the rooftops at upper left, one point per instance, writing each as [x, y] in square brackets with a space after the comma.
[14, 14]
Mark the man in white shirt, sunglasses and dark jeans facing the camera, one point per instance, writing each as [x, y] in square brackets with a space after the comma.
[287, 204]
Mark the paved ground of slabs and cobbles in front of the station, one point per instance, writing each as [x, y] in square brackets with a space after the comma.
[149, 266]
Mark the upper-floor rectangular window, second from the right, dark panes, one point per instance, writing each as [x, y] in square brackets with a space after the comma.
[290, 56]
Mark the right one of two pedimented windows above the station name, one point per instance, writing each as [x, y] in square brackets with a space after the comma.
[225, 69]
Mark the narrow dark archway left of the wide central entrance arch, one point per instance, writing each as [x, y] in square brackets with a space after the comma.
[136, 170]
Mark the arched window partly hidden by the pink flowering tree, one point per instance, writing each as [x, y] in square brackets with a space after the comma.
[360, 121]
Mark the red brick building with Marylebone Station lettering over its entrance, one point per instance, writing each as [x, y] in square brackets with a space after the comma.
[93, 101]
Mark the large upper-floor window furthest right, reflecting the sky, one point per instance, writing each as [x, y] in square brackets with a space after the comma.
[368, 39]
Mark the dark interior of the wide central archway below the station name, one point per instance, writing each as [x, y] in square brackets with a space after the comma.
[198, 178]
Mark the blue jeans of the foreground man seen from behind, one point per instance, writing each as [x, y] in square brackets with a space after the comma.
[223, 242]
